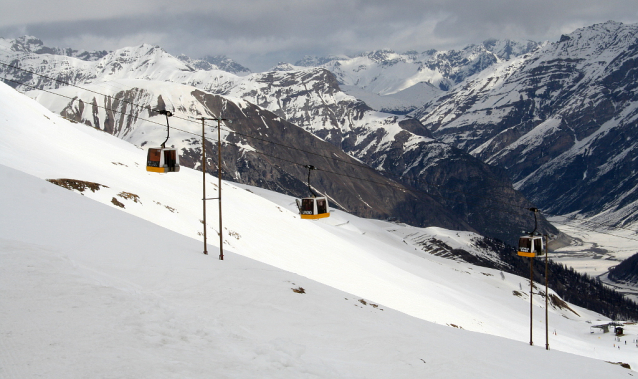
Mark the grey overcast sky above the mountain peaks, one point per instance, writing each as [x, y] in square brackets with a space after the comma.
[260, 33]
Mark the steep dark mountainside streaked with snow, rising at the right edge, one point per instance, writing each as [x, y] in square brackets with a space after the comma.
[561, 121]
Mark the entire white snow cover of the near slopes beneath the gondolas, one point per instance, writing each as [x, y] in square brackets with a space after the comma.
[89, 289]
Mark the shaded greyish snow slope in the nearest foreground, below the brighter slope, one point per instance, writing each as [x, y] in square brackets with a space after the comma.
[79, 303]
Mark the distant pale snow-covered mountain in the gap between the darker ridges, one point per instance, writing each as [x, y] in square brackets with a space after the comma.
[402, 82]
